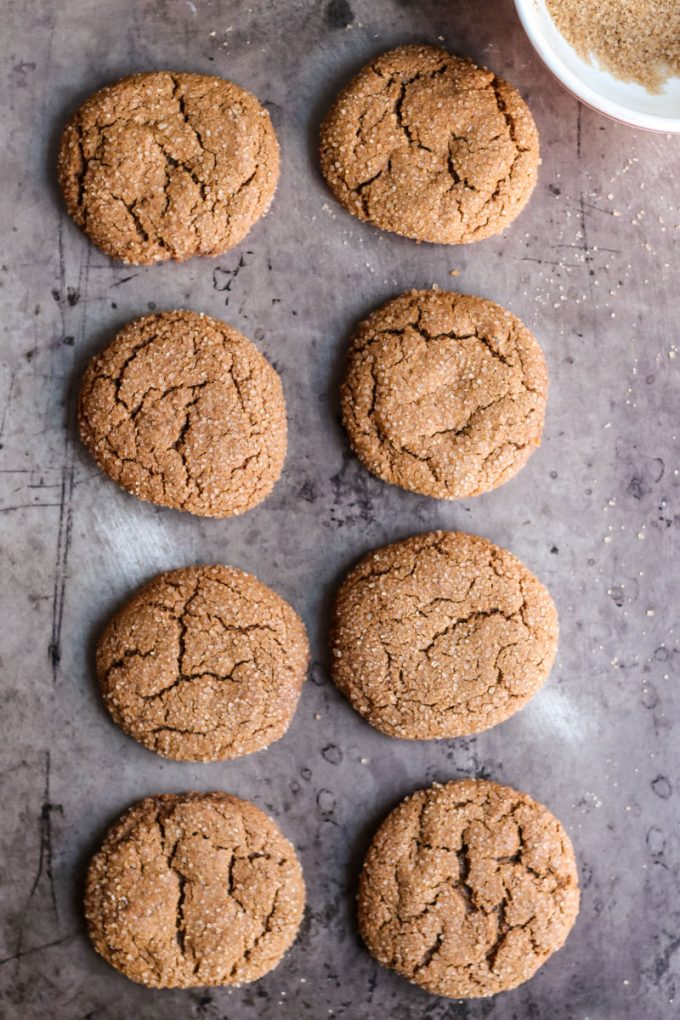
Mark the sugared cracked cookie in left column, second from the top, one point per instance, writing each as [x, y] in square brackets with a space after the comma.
[182, 411]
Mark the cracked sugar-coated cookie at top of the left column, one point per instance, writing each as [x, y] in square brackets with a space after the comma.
[167, 166]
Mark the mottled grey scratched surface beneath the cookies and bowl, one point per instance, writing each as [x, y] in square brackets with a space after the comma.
[596, 514]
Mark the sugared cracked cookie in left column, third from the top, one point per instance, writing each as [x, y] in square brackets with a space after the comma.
[204, 664]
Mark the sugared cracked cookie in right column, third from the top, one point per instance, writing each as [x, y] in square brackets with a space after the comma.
[441, 636]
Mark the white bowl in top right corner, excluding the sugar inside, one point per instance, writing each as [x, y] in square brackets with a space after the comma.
[623, 101]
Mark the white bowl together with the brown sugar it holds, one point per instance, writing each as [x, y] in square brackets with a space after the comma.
[621, 58]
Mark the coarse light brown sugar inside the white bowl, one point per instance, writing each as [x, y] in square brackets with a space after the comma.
[636, 40]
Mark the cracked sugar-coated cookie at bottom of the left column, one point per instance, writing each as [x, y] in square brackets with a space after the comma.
[194, 890]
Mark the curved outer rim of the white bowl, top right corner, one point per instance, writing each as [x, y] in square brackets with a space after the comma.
[581, 89]
